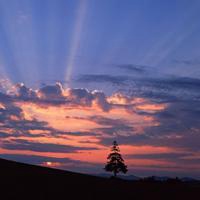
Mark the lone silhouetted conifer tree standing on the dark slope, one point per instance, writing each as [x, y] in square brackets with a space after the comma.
[115, 161]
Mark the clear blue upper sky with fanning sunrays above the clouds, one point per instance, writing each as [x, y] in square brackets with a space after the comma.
[42, 40]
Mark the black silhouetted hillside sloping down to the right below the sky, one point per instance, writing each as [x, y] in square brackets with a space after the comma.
[24, 181]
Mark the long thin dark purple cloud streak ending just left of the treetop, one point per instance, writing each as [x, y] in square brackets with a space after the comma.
[20, 144]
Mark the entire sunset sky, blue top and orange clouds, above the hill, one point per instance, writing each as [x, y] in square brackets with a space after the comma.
[76, 75]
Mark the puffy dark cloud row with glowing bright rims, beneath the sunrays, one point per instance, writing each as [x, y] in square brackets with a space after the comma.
[53, 95]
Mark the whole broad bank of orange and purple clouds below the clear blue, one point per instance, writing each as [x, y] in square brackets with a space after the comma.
[81, 123]
